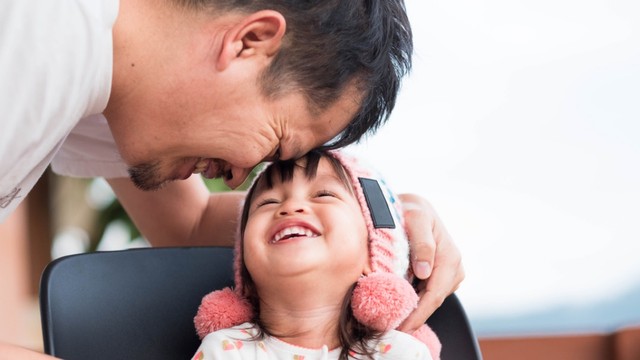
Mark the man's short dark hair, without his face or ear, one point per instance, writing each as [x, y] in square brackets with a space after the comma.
[330, 42]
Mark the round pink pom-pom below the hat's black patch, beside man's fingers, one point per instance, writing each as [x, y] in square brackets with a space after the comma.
[382, 300]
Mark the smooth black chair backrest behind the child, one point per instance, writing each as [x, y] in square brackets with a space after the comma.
[140, 304]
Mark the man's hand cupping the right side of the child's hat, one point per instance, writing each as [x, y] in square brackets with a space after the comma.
[434, 257]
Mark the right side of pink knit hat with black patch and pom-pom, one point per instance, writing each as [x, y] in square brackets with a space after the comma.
[382, 299]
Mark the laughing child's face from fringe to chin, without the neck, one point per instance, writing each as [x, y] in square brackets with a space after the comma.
[306, 226]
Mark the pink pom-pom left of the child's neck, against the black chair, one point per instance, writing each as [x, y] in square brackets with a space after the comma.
[221, 309]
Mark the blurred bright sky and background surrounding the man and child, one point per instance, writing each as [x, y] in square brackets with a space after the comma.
[520, 123]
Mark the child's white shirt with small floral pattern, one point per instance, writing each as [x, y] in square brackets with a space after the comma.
[236, 344]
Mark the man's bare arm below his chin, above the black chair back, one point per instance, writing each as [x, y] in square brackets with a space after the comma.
[183, 213]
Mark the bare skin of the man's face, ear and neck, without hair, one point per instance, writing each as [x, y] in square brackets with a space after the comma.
[208, 103]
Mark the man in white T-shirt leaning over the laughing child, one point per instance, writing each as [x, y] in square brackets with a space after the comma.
[176, 87]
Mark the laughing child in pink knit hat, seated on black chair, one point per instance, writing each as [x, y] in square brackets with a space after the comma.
[321, 270]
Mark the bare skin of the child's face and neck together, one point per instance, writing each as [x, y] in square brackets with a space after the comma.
[302, 280]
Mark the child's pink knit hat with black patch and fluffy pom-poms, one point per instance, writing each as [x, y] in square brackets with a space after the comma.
[380, 300]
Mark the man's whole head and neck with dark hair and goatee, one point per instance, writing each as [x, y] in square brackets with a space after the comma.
[234, 82]
